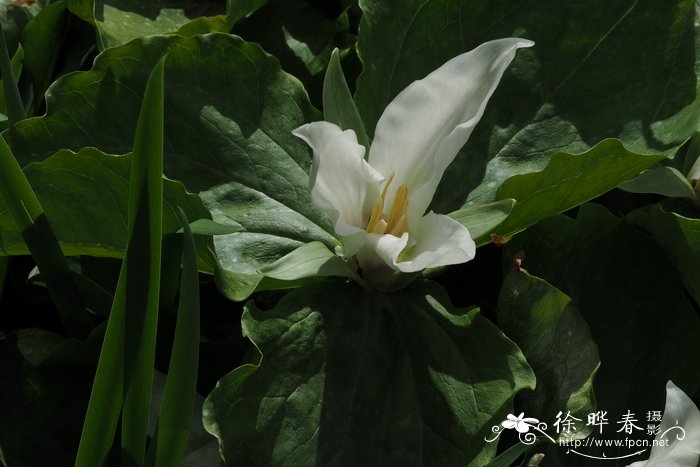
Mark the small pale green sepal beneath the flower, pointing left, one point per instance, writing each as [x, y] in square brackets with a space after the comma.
[308, 261]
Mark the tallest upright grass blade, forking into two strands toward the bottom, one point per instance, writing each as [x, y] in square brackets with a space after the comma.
[125, 370]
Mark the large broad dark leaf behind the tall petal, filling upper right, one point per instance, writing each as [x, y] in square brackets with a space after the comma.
[595, 72]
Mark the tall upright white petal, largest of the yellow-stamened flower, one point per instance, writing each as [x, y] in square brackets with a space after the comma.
[423, 128]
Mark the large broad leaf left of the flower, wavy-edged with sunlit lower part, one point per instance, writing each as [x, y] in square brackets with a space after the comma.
[229, 139]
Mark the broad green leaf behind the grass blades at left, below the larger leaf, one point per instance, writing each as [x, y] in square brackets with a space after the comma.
[64, 181]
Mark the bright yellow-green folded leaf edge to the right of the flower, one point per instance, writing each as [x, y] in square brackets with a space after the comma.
[567, 181]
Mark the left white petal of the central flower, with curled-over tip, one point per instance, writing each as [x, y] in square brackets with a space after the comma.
[343, 184]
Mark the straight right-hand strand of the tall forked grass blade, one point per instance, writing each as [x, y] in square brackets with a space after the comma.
[143, 283]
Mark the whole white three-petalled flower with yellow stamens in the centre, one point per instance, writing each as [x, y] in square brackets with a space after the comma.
[379, 205]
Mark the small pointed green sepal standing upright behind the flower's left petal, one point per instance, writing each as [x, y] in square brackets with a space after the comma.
[338, 106]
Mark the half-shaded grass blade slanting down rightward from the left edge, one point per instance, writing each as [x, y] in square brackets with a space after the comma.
[29, 217]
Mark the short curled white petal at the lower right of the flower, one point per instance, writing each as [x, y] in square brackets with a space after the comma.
[440, 241]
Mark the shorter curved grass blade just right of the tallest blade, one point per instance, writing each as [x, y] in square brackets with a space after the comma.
[168, 446]
